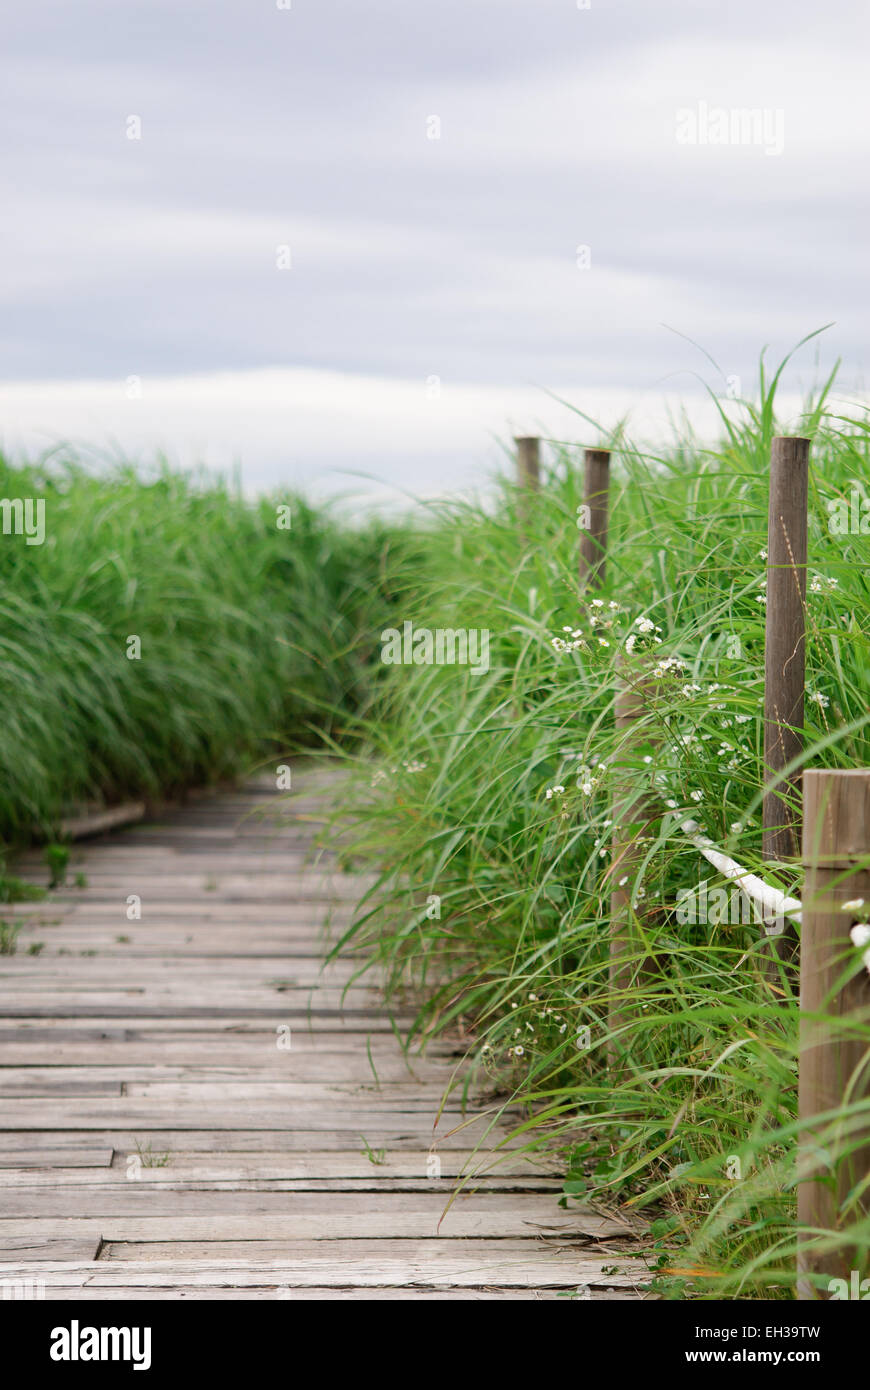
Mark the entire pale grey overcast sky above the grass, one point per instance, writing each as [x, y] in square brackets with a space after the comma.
[415, 258]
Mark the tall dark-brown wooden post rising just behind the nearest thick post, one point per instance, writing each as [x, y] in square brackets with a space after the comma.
[785, 657]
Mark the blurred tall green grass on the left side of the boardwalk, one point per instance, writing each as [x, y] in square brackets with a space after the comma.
[252, 637]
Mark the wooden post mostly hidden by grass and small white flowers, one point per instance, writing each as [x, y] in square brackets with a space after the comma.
[633, 815]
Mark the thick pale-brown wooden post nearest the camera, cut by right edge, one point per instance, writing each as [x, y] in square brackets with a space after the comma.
[835, 1056]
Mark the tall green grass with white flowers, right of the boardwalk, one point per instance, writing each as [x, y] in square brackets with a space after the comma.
[494, 896]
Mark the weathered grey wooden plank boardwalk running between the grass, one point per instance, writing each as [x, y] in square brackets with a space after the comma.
[192, 1109]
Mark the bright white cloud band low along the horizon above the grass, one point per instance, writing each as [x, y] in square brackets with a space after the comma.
[318, 430]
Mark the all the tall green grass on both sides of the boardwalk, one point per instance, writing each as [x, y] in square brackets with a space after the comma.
[493, 897]
